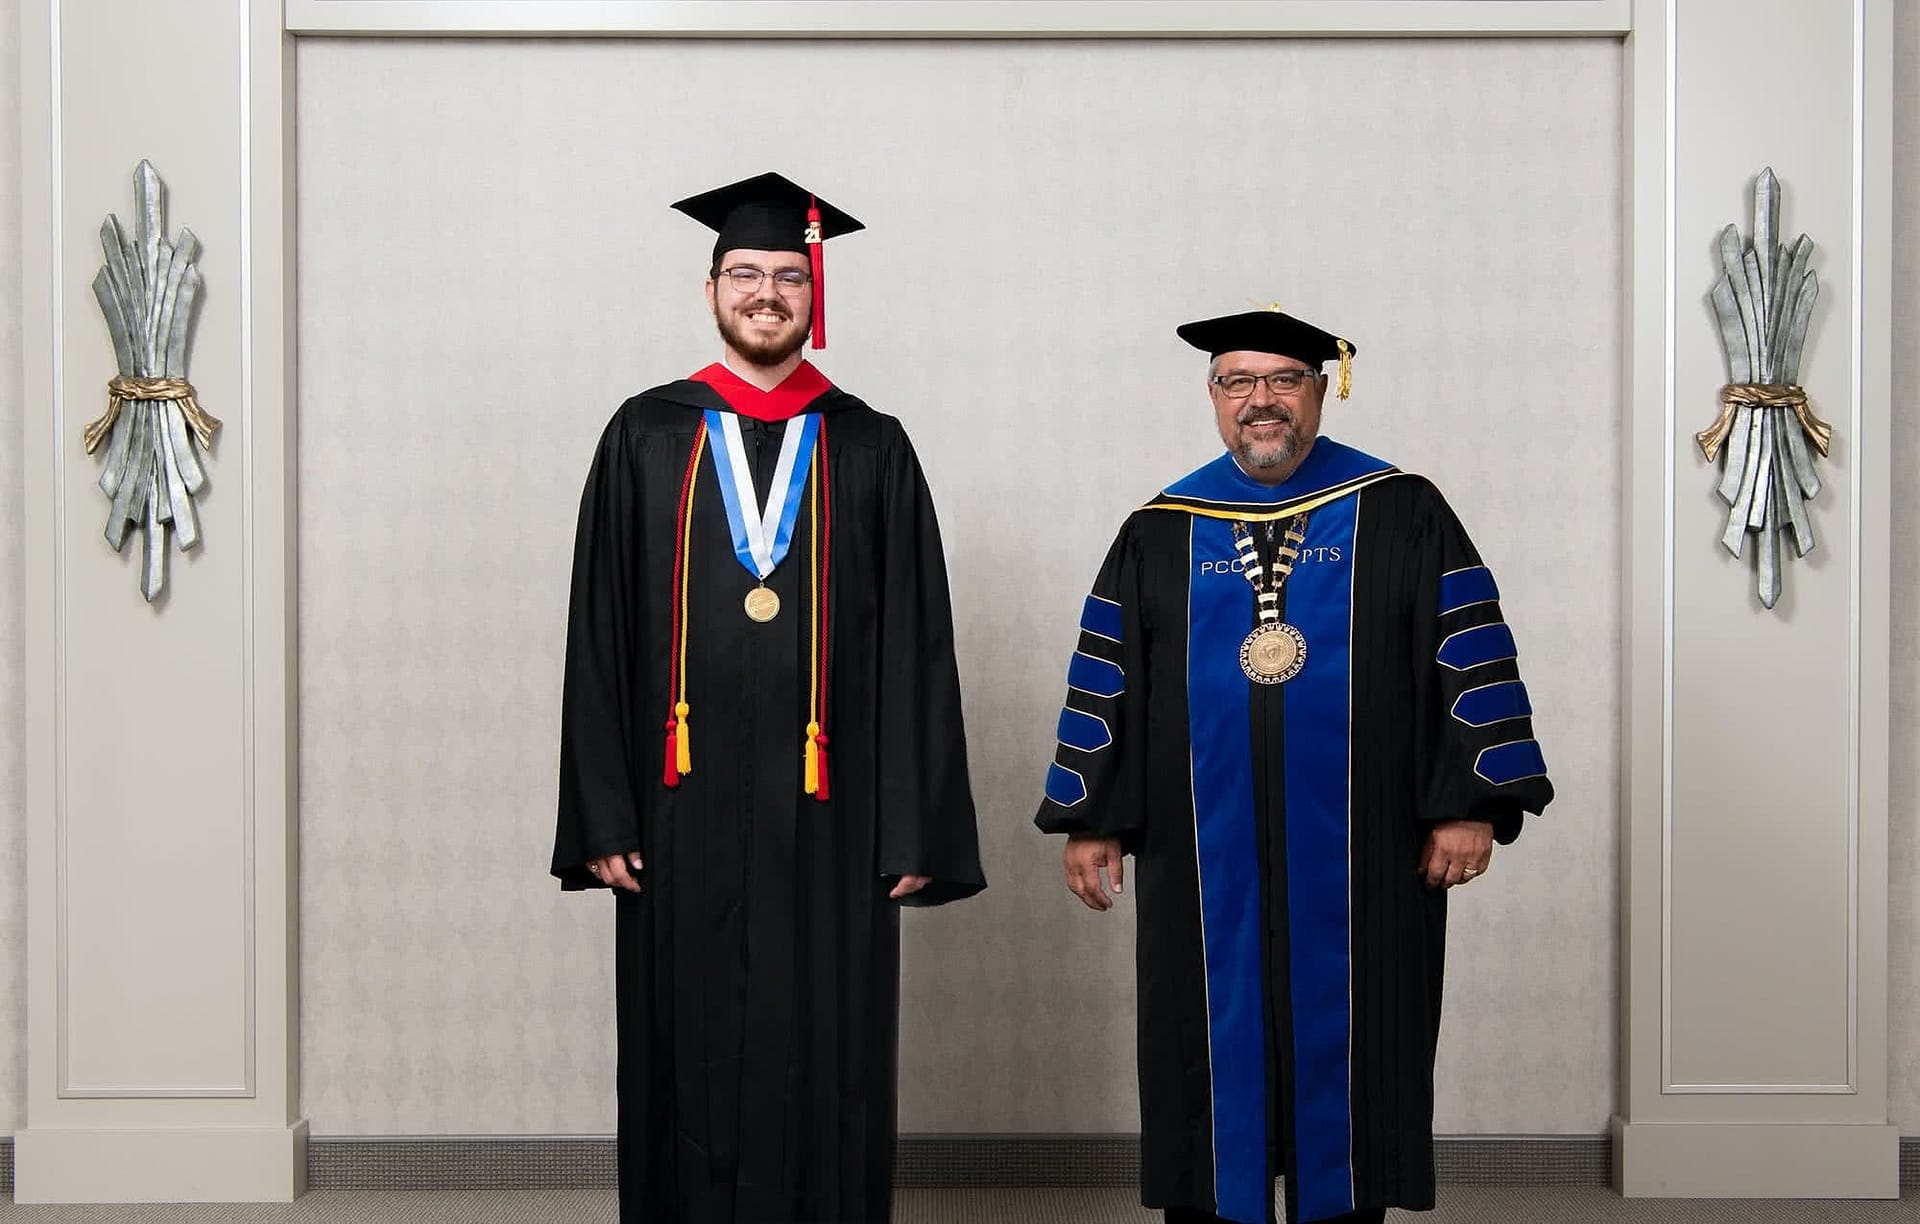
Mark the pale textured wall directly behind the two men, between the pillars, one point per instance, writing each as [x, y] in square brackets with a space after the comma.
[489, 268]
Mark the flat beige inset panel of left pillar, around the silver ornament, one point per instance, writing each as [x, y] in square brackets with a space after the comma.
[139, 1014]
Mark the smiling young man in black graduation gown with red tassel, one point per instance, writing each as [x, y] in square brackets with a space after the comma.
[761, 747]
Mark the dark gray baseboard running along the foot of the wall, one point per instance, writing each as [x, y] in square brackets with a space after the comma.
[533, 1164]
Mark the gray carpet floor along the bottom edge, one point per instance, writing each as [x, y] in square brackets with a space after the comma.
[1458, 1206]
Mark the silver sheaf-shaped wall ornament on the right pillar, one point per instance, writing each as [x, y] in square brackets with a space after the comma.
[1767, 429]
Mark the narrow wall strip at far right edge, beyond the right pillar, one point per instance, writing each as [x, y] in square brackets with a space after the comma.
[1904, 818]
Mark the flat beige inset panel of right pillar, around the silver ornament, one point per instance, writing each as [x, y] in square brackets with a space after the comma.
[1742, 924]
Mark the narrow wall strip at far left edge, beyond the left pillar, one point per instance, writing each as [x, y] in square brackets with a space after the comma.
[12, 605]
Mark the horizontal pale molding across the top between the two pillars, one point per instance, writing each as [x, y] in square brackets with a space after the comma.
[965, 18]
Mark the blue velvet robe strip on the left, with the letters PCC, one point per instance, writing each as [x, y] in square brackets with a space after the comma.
[1220, 615]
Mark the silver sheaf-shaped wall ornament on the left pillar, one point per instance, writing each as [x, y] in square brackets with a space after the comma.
[155, 425]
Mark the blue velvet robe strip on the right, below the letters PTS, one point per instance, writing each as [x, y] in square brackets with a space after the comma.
[1320, 603]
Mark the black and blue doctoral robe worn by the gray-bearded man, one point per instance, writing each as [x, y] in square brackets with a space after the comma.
[1289, 956]
